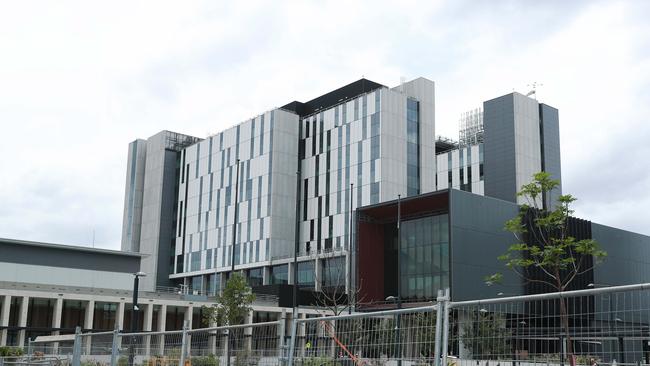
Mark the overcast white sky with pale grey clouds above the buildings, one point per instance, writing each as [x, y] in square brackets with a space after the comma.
[80, 80]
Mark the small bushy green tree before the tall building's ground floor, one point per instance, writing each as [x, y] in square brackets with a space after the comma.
[232, 305]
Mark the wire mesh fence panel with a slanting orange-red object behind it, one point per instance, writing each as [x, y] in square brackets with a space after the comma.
[407, 335]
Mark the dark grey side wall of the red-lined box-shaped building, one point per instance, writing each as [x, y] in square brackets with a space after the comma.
[477, 239]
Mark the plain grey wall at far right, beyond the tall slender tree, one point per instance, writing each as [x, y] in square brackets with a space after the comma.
[628, 256]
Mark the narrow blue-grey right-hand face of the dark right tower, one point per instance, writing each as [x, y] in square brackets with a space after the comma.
[551, 158]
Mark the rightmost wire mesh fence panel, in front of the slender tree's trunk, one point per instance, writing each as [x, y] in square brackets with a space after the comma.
[599, 326]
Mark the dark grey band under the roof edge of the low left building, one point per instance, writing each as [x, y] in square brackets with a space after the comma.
[59, 256]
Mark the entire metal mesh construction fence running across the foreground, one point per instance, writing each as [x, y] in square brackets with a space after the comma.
[597, 326]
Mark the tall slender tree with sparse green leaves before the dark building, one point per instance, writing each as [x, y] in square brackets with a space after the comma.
[546, 253]
